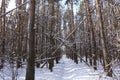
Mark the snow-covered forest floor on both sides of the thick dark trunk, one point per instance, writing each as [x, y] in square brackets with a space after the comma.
[65, 70]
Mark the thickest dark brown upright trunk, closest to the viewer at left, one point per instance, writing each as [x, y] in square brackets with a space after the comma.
[31, 53]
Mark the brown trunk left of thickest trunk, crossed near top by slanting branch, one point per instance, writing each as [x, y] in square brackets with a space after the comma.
[19, 27]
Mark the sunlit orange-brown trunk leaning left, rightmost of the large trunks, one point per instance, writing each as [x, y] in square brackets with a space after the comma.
[107, 68]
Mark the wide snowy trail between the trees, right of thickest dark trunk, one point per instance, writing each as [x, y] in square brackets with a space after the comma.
[68, 70]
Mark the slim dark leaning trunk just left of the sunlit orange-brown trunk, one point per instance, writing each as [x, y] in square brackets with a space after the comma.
[92, 36]
